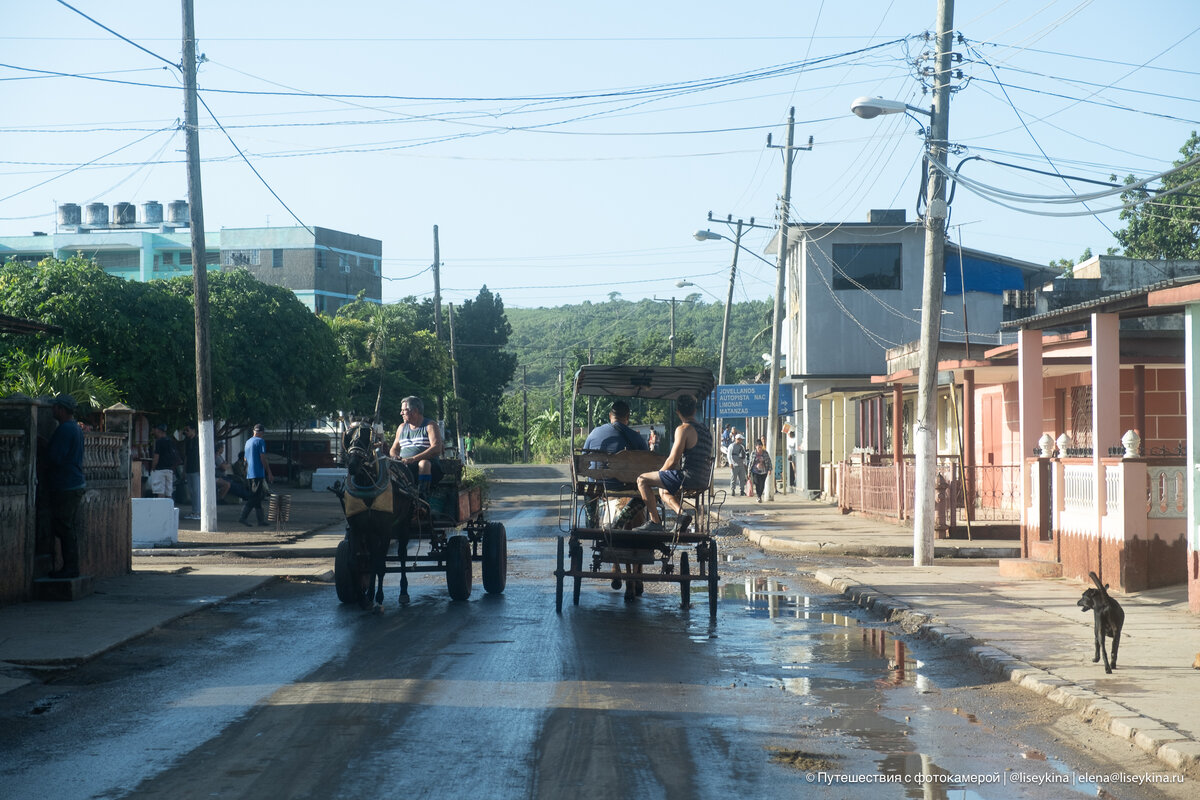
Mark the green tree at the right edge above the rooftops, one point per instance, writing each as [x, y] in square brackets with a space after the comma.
[1166, 227]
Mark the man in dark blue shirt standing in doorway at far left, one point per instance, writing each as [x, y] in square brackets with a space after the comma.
[67, 484]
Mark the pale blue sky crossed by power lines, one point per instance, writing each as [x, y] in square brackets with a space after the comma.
[571, 151]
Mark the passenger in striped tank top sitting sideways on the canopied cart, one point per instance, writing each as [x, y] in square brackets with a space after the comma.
[688, 467]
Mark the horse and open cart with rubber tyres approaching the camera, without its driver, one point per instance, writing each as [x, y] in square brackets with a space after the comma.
[445, 532]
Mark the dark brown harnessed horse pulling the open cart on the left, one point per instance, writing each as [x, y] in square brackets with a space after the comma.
[379, 504]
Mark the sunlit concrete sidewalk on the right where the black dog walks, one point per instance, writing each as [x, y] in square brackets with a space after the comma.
[1033, 633]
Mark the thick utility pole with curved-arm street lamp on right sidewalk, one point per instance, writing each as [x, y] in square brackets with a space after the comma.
[926, 435]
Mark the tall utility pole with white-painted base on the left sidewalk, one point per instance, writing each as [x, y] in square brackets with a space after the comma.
[200, 281]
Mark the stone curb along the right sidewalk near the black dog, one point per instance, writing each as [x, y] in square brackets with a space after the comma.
[1150, 736]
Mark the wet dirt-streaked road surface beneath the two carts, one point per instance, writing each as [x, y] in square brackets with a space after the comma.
[791, 694]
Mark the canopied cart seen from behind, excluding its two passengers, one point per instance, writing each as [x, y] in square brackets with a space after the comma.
[604, 501]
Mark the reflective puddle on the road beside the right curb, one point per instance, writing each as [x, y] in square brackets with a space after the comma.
[872, 702]
